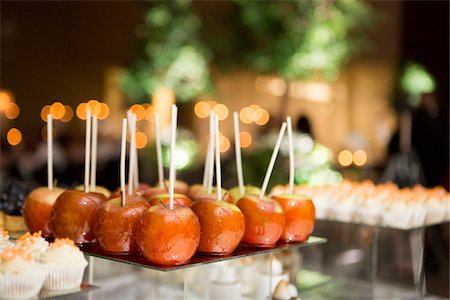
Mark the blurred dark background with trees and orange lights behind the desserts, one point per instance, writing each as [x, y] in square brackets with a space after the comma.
[364, 81]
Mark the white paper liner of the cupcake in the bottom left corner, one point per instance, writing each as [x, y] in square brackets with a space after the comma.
[21, 286]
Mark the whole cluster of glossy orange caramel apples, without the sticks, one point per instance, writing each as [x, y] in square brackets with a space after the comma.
[198, 222]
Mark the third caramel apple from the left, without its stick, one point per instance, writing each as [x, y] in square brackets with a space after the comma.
[116, 225]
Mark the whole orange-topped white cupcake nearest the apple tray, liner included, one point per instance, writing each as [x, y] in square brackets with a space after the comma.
[66, 264]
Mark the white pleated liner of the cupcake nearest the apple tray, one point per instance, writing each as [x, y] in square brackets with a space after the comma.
[64, 277]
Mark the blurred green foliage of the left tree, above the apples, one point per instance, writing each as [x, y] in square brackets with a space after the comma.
[172, 54]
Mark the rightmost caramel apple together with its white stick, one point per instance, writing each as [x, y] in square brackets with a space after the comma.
[298, 209]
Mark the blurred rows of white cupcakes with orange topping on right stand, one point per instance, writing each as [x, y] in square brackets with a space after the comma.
[379, 205]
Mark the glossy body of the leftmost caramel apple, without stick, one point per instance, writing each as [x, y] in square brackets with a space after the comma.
[37, 210]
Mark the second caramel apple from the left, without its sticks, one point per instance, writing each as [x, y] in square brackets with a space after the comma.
[74, 216]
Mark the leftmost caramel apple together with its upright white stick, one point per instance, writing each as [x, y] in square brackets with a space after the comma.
[38, 206]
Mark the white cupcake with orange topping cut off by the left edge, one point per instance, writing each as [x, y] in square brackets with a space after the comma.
[20, 276]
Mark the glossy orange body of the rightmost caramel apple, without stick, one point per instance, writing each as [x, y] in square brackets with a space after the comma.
[300, 217]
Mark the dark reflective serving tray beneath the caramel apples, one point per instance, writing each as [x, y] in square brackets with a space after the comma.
[199, 258]
